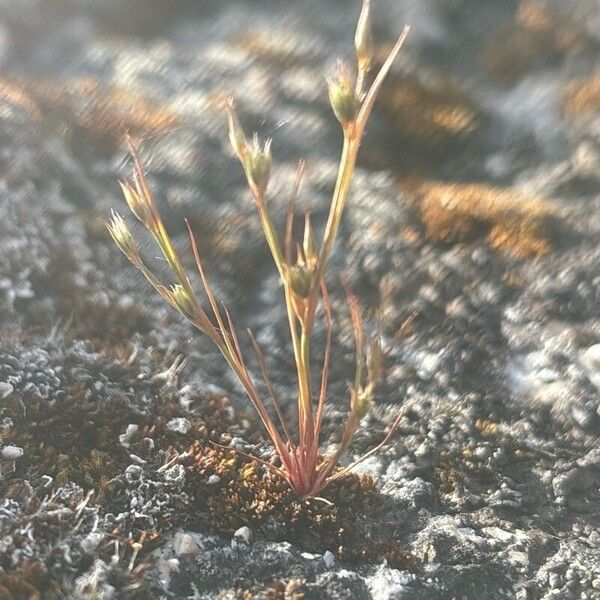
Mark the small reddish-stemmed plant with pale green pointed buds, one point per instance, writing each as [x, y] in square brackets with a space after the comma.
[302, 277]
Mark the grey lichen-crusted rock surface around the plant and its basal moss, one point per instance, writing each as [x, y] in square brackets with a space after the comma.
[476, 205]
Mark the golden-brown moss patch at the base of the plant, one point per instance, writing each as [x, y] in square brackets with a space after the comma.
[247, 495]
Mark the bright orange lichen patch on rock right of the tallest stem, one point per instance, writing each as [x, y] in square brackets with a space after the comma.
[460, 212]
